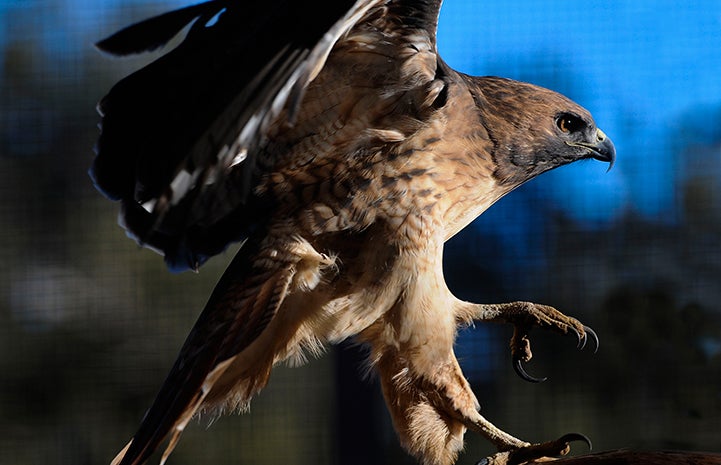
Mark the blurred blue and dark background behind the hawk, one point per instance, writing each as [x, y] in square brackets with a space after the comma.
[90, 324]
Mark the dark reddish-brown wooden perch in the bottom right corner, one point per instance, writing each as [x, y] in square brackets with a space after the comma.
[630, 457]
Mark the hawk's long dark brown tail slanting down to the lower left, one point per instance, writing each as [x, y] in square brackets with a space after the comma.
[243, 303]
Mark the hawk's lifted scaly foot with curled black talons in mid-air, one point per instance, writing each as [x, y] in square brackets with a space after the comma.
[524, 316]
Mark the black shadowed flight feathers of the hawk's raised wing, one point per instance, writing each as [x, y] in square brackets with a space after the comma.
[179, 137]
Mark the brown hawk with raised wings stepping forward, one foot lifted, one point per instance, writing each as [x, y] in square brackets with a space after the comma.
[333, 141]
